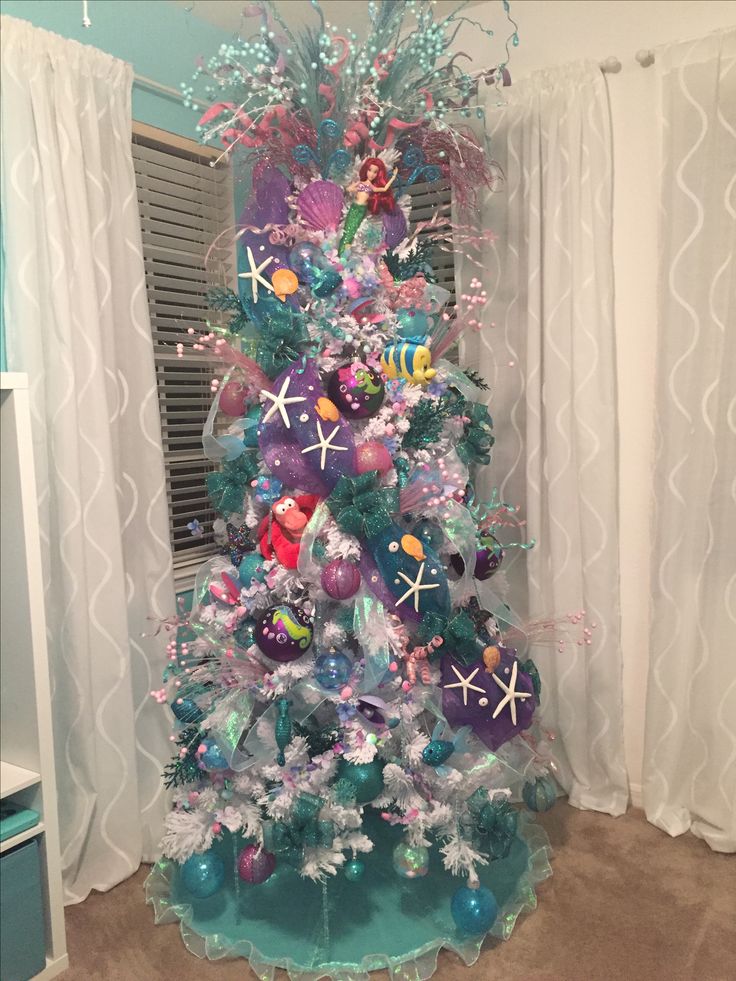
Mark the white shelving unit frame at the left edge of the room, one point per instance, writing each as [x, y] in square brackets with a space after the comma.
[26, 739]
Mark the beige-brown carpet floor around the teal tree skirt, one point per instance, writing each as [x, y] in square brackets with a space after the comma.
[625, 902]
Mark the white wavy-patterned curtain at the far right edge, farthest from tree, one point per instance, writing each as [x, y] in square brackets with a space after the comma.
[690, 751]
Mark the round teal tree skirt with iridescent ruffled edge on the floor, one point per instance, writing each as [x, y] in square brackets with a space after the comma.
[343, 930]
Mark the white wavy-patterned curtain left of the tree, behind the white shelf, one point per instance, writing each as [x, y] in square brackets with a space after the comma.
[77, 322]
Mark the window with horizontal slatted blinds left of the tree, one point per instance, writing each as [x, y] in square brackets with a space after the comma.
[184, 204]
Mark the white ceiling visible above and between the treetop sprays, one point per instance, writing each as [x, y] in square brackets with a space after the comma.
[353, 13]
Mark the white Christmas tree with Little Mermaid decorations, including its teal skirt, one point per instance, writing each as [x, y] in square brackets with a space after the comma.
[357, 745]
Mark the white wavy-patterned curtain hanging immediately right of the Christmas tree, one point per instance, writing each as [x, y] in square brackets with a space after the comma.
[551, 362]
